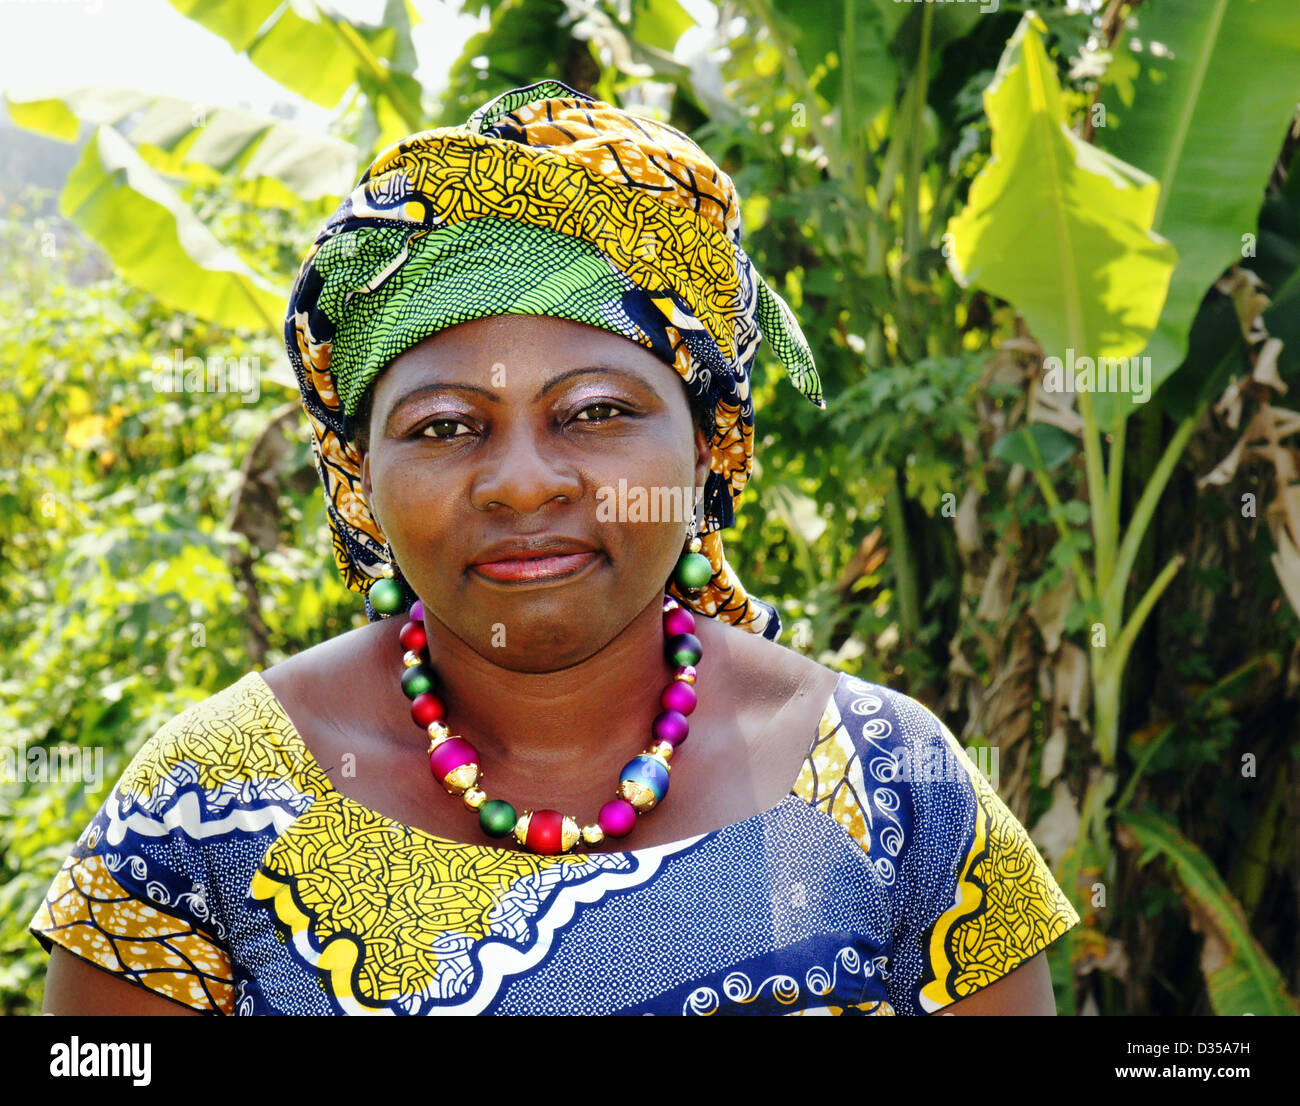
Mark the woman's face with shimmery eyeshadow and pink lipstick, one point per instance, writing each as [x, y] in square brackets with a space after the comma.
[502, 435]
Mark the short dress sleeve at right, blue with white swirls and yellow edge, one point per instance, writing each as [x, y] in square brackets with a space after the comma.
[972, 896]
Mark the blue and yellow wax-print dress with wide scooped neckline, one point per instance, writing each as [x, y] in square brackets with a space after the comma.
[227, 874]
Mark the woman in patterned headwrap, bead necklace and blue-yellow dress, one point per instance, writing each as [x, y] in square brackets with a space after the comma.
[525, 350]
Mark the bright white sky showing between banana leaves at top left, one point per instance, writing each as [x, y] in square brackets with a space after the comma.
[149, 46]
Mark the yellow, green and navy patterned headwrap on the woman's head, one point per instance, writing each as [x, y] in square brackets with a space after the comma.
[547, 202]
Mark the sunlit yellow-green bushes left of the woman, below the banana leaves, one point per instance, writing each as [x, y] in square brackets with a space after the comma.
[120, 604]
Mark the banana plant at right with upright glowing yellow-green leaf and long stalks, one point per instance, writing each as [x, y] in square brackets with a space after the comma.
[1120, 257]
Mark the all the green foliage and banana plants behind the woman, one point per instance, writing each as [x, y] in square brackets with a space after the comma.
[930, 531]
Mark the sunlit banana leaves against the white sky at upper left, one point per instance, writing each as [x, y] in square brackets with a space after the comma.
[125, 194]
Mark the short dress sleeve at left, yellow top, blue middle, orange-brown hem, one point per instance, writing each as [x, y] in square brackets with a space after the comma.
[153, 887]
